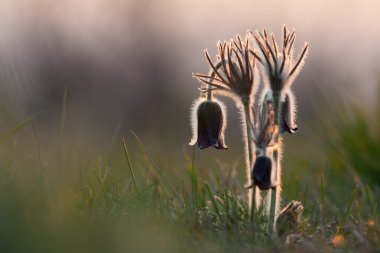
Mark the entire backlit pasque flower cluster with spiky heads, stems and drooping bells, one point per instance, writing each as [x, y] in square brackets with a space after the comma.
[234, 73]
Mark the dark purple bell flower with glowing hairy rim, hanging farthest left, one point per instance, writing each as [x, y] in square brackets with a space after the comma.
[208, 119]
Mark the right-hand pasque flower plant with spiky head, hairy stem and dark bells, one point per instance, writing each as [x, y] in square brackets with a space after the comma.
[279, 70]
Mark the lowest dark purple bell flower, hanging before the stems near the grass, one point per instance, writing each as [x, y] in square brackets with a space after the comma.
[261, 173]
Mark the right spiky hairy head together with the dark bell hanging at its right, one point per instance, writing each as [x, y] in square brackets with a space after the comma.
[280, 70]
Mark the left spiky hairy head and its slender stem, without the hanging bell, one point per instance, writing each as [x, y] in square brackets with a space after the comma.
[235, 75]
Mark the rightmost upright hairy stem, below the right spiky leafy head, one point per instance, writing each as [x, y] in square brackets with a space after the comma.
[275, 196]
